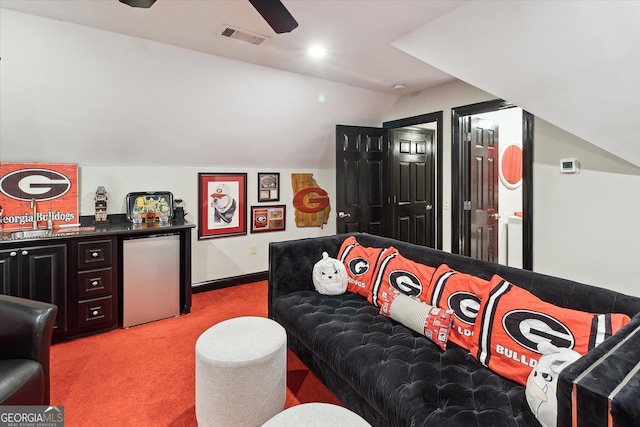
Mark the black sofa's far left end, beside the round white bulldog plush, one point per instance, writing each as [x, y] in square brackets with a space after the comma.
[291, 263]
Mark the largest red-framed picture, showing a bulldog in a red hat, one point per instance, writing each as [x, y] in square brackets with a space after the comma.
[222, 205]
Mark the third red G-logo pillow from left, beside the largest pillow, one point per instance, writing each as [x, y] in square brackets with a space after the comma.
[462, 293]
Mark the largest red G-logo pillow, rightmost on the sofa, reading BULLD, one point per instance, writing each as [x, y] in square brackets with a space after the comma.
[512, 322]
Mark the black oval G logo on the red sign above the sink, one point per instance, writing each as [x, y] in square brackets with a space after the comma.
[39, 184]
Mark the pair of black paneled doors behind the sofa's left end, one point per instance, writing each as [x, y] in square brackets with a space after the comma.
[385, 182]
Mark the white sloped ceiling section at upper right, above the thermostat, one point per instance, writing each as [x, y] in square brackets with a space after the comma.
[575, 64]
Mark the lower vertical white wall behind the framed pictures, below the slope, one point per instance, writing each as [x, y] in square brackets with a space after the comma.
[211, 258]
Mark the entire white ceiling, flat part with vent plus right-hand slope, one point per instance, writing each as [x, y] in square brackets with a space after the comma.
[573, 63]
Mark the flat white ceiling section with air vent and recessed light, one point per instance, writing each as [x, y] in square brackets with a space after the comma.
[357, 34]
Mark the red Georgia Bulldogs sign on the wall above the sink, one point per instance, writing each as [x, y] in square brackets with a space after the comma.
[53, 186]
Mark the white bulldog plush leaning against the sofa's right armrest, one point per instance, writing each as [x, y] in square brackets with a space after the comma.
[543, 382]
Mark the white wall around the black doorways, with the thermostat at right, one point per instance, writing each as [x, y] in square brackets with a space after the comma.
[585, 226]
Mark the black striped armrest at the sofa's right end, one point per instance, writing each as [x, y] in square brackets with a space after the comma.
[613, 352]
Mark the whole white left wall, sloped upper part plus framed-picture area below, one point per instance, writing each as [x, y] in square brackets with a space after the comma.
[137, 115]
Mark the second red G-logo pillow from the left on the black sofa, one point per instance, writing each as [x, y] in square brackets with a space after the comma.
[402, 274]
